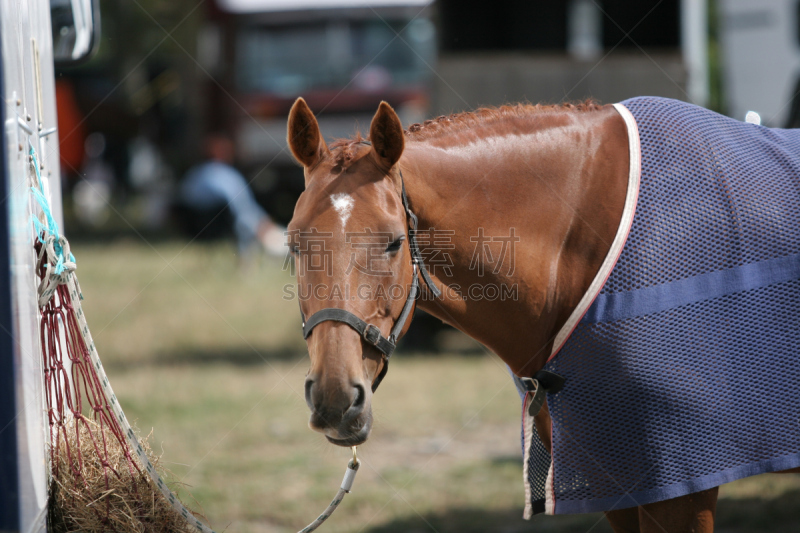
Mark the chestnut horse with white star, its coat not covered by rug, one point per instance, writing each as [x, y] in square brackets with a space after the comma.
[557, 175]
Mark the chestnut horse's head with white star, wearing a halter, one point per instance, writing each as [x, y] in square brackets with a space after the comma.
[349, 235]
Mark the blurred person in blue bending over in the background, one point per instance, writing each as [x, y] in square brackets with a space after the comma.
[214, 186]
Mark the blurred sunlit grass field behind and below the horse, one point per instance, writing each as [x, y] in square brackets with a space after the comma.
[212, 358]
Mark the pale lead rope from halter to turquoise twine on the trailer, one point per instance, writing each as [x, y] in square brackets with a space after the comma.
[60, 267]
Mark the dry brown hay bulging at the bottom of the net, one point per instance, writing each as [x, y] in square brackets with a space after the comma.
[85, 496]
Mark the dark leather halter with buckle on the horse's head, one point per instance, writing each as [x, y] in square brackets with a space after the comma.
[369, 332]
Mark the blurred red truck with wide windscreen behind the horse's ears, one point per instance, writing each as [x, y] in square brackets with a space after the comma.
[343, 57]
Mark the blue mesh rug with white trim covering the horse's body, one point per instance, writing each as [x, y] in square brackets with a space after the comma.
[682, 364]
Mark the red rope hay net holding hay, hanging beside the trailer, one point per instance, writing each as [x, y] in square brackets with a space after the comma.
[97, 483]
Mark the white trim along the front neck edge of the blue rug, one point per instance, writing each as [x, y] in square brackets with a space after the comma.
[624, 228]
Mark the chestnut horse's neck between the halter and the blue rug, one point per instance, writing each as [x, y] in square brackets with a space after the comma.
[514, 226]
